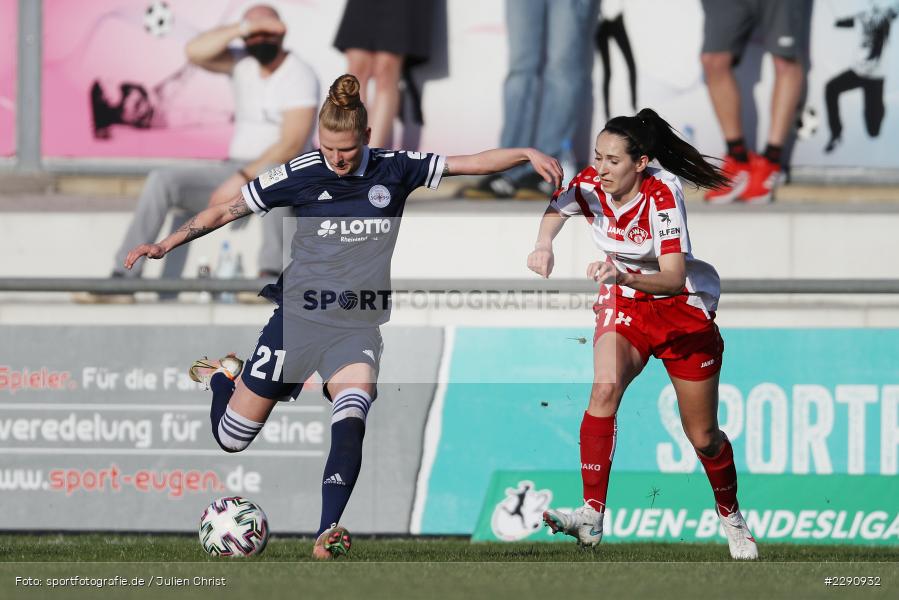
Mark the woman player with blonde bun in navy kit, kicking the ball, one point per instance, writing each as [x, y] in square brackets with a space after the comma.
[332, 297]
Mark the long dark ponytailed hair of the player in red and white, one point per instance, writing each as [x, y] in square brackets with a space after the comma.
[649, 134]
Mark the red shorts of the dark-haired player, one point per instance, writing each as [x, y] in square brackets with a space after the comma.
[682, 336]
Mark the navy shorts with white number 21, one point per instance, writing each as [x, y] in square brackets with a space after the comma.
[277, 370]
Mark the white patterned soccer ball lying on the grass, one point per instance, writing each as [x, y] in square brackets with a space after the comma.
[233, 527]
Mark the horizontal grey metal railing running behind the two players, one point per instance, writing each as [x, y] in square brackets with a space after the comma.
[562, 286]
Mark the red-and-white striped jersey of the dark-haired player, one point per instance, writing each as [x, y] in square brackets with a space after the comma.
[634, 235]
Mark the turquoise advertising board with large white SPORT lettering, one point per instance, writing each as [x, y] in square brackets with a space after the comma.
[809, 402]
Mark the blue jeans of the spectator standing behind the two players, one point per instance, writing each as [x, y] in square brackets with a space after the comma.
[550, 73]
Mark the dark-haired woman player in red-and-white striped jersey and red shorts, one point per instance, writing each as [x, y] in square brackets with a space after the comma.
[655, 299]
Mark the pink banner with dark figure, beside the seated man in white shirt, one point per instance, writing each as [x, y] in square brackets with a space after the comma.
[116, 82]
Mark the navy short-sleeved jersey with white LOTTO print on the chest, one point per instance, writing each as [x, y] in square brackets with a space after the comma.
[347, 229]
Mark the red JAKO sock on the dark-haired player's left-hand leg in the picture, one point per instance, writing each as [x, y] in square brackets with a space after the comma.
[597, 449]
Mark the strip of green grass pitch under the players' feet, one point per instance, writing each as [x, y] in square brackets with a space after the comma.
[176, 567]
